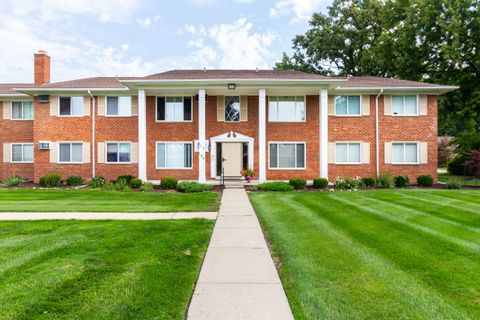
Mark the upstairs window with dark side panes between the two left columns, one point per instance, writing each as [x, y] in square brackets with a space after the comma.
[174, 109]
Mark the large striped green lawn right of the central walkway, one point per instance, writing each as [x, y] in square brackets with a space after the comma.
[403, 254]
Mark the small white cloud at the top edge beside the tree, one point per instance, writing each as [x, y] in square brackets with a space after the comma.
[301, 9]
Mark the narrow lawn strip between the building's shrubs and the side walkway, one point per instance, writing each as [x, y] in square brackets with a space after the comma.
[14, 200]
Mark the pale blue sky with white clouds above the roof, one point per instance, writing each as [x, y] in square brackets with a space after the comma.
[134, 38]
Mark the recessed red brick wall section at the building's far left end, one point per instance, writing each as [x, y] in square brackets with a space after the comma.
[14, 131]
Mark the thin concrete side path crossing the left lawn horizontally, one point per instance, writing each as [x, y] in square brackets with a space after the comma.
[16, 216]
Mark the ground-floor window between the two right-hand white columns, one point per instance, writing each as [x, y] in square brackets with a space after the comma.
[287, 155]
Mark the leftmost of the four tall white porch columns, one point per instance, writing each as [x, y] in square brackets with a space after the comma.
[142, 136]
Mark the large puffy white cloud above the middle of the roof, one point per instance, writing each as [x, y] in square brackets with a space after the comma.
[234, 46]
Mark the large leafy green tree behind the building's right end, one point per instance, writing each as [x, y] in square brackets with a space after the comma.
[421, 40]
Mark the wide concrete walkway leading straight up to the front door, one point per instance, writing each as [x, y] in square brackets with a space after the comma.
[238, 279]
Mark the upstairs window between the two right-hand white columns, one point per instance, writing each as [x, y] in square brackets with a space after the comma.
[286, 109]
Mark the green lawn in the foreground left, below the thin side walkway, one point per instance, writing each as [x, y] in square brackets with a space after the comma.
[100, 269]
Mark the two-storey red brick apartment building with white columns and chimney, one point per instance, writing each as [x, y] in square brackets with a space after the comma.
[196, 124]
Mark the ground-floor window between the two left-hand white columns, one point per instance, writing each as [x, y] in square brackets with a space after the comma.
[174, 155]
